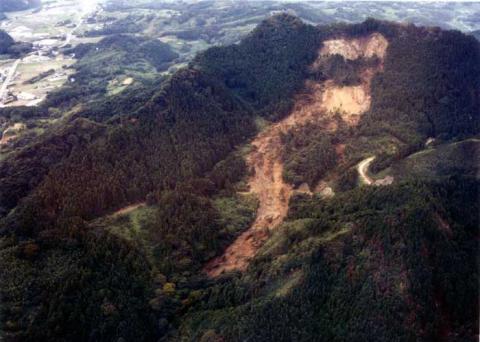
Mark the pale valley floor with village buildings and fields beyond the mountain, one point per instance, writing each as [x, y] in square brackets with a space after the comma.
[26, 81]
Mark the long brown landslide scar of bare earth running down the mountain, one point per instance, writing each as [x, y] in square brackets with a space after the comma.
[316, 104]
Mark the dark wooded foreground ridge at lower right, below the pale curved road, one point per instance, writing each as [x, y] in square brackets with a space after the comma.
[383, 264]
